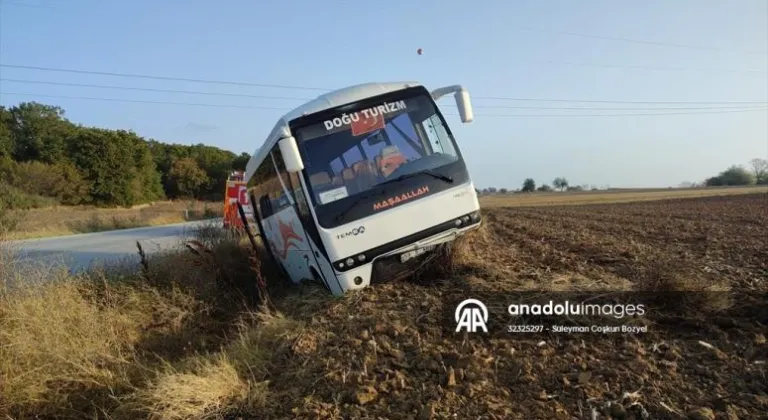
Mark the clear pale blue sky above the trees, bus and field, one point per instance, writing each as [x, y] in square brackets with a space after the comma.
[683, 51]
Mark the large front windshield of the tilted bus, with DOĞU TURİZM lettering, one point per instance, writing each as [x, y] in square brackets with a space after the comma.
[350, 154]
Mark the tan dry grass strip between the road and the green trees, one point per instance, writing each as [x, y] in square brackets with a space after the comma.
[66, 220]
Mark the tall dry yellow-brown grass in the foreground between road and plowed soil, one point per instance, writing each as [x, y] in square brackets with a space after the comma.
[148, 345]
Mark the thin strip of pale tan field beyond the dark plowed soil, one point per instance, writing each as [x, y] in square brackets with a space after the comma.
[610, 196]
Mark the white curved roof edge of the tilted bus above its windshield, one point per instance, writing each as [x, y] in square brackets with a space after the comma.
[325, 101]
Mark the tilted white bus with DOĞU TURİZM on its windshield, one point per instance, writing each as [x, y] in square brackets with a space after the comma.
[361, 181]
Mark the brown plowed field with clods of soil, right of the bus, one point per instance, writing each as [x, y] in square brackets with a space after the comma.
[383, 353]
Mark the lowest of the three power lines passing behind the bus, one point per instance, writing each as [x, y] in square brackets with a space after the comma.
[722, 111]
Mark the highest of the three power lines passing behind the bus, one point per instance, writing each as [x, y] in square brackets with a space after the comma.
[326, 89]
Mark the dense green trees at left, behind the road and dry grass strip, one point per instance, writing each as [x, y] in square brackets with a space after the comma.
[47, 159]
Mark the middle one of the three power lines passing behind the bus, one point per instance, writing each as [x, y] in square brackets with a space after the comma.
[242, 95]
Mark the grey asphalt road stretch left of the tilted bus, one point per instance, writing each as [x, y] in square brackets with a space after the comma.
[80, 251]
